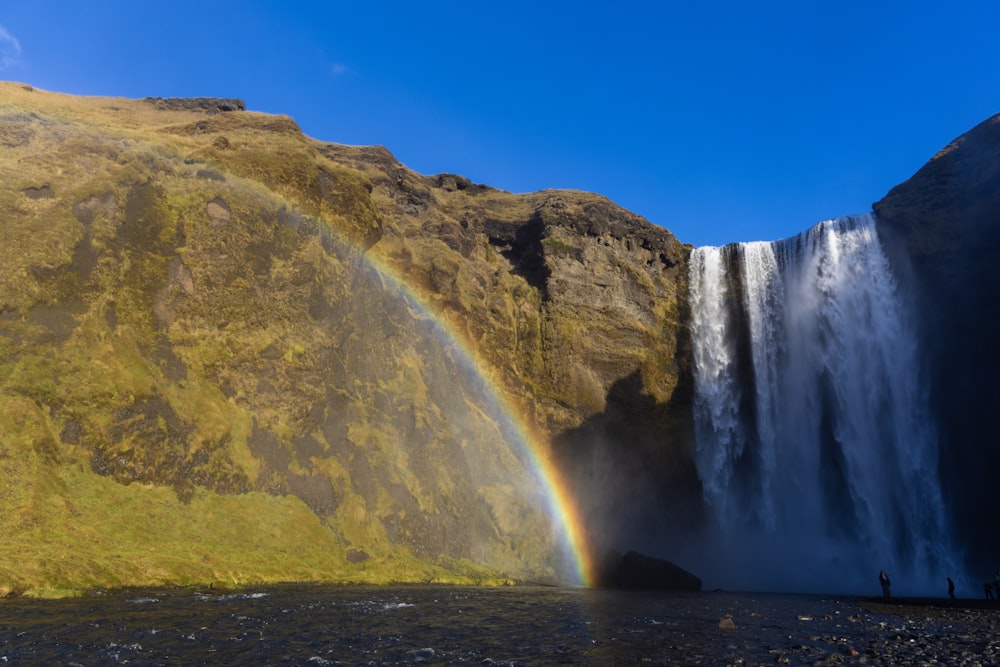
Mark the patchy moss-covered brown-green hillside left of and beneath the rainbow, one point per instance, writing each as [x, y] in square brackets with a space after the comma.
[190, 331]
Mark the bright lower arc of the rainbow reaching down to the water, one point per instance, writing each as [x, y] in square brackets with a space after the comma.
[561, 506]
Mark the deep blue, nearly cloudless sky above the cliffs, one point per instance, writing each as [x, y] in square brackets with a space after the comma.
[721, 121]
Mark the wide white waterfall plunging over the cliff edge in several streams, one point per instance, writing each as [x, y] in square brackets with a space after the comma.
[817, 459]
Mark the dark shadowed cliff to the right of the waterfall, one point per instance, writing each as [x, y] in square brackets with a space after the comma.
[943, 228]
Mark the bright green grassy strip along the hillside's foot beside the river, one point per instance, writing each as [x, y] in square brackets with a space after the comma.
[68, 529]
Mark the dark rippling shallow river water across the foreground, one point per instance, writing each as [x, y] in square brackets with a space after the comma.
[332, 625]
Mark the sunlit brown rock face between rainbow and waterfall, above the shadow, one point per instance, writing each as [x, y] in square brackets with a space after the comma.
[564, 291]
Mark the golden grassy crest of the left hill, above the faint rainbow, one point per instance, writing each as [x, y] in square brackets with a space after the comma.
[269, 150]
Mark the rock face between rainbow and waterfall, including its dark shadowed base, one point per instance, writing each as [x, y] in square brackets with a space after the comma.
[580, 307]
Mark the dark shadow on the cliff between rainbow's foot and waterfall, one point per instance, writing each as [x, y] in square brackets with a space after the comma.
[631, 472]
